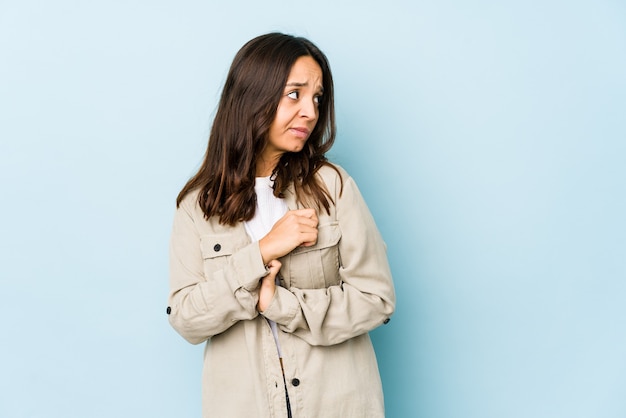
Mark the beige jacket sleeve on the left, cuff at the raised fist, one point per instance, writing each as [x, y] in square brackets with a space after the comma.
[206, 298]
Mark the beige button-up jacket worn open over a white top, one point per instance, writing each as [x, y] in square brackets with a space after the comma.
[332, 294]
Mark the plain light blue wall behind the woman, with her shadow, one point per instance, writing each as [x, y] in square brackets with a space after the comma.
[488, 137]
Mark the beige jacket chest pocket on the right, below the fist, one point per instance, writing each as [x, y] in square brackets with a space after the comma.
[317, 266]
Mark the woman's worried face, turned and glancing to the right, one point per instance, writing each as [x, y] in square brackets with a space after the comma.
[297, 111]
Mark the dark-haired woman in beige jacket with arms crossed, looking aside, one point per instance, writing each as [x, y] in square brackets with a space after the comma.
[276, 262]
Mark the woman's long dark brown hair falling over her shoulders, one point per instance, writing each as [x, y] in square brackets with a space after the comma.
[247, 108]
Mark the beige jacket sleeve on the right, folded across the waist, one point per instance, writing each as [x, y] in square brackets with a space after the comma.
[363, 300]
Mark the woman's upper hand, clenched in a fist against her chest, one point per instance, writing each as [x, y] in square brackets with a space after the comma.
[296, 228]
